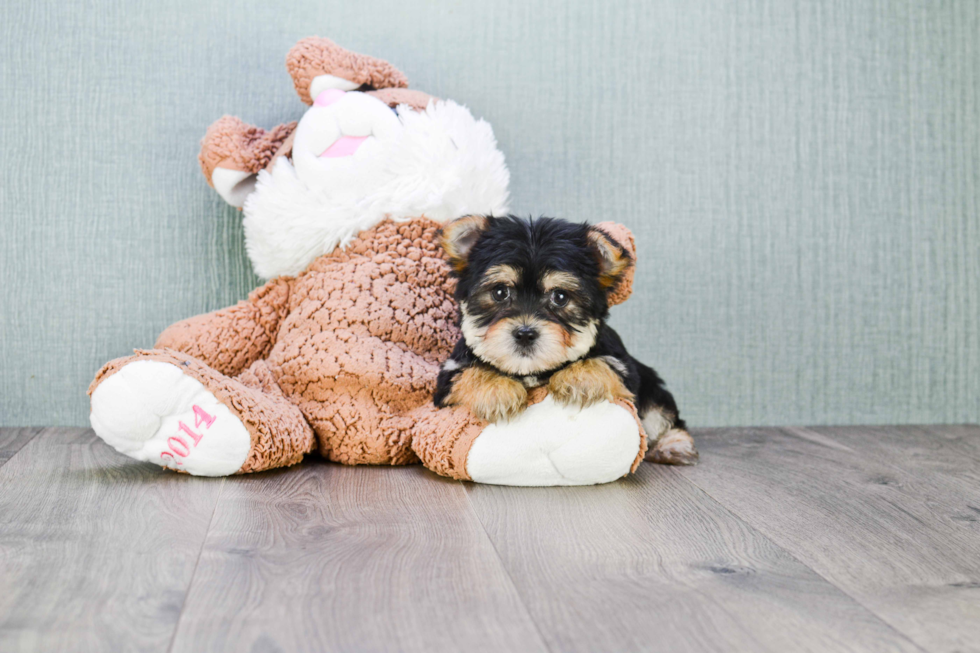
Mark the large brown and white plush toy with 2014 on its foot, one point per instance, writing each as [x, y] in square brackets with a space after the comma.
[338, 353]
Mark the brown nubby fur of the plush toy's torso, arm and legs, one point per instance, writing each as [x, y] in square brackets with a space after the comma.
[342, 359]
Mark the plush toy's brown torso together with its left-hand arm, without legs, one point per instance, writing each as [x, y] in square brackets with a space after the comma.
[354, 342]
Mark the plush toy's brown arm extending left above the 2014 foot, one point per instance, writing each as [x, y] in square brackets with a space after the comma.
[231, 339]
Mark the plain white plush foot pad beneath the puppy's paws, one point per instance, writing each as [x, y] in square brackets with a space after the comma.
[551, 444]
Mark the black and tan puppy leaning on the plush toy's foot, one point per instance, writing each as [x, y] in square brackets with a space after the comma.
[533, 300]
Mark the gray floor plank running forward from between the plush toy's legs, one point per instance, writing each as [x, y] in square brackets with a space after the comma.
[349, 525]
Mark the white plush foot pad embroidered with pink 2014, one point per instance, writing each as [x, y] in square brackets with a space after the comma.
[152, 411]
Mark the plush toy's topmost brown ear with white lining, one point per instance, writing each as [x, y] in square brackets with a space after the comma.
[317, 65]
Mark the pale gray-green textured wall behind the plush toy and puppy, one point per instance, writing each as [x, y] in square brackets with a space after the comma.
[803, 179]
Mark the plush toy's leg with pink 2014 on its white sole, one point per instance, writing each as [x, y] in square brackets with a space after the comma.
[168, 408]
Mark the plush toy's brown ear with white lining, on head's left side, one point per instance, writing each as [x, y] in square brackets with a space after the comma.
[233, 152]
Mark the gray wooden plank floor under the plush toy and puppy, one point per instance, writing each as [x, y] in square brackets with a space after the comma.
[827, 539]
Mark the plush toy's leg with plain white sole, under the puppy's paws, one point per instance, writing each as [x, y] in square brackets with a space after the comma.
[548, 444]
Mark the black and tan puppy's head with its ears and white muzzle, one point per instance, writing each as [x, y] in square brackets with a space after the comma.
[532, 293]
